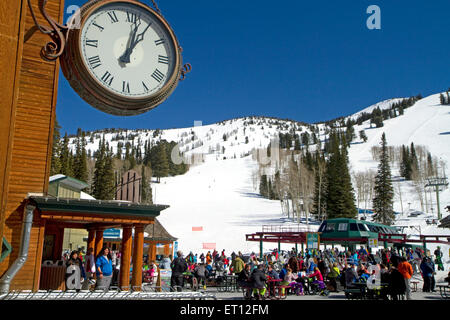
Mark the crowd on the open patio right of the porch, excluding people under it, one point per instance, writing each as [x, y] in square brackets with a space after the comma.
[315, 271]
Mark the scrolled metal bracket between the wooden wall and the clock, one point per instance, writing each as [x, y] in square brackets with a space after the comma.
[57, 32]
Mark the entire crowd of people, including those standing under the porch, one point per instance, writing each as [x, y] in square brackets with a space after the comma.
[308, 272]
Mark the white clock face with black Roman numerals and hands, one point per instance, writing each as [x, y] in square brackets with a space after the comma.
[127, 50]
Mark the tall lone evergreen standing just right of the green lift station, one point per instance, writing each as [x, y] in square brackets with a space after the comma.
[383, 200]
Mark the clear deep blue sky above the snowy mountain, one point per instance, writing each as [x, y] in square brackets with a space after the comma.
[303, 60]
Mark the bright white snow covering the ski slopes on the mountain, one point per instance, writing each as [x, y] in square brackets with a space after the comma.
[221, 197]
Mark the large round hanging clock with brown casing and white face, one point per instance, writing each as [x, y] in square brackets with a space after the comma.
[121, 57]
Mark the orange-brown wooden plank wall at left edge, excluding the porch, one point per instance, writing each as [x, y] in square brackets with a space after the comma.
[28, 91]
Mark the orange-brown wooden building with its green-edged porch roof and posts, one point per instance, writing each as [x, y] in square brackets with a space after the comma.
[28, 88]
